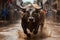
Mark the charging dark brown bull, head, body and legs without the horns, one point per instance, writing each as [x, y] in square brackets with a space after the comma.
[32, 19]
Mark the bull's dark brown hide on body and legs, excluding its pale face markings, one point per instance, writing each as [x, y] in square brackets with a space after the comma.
[32, 26]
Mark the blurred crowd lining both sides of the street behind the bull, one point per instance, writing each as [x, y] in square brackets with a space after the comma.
[9, 10]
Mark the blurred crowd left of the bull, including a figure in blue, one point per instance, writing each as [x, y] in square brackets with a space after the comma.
[8, 10]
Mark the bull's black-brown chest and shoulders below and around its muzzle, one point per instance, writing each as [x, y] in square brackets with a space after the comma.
[30, 25]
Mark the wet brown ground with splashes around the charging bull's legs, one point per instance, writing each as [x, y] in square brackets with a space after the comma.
[51, 31]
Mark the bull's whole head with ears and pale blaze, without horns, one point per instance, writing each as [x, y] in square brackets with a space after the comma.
[30, 13]
